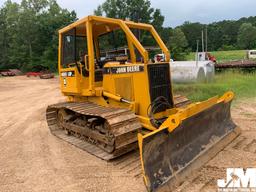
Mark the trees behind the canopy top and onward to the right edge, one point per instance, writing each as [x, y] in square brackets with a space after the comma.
[223, 35]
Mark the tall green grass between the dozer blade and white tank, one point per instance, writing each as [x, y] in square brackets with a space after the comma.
[242, 84]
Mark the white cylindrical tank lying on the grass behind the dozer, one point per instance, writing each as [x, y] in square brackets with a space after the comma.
[192, 71]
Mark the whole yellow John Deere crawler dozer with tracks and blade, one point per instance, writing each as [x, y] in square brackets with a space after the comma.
[119, 100]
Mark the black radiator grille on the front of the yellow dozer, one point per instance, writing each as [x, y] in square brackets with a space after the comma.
[160, 83]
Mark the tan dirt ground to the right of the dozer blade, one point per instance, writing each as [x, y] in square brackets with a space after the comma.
[241, 153]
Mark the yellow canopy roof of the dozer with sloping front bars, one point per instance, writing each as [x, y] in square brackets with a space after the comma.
[101, 25]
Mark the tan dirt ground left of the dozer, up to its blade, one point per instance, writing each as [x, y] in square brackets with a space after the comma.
[33, 160]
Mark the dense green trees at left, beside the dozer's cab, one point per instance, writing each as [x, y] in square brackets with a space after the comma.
[29, 34]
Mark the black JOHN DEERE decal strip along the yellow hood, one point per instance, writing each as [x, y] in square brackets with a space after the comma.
[125, 69]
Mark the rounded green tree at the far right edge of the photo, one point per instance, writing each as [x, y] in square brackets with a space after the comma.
[247, 36]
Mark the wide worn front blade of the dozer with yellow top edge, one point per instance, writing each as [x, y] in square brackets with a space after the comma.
[185, 142]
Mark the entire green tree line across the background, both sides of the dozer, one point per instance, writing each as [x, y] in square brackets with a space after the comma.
[29, 31]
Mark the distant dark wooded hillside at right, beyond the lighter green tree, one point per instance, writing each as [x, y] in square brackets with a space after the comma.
[223, 35]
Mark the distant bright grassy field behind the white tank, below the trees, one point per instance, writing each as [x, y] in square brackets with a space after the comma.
[223, 56]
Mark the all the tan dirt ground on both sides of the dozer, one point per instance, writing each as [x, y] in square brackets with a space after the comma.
[32, 159]
